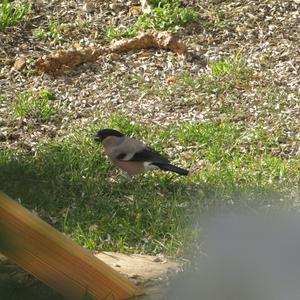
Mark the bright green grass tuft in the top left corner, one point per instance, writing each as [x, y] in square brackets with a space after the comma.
[12, 14]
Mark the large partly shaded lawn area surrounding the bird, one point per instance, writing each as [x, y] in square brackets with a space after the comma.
[73, 187]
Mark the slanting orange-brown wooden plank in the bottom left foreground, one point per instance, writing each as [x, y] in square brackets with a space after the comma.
[55, 259]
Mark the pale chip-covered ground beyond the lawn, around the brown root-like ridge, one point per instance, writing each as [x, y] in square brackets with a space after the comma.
[141, 85]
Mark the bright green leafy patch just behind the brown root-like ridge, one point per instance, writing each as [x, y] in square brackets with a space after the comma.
[169, 15]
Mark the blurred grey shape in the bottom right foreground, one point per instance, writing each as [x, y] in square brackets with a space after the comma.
[245, 256]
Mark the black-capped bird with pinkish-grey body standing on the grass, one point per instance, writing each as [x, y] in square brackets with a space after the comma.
[133, 156]
